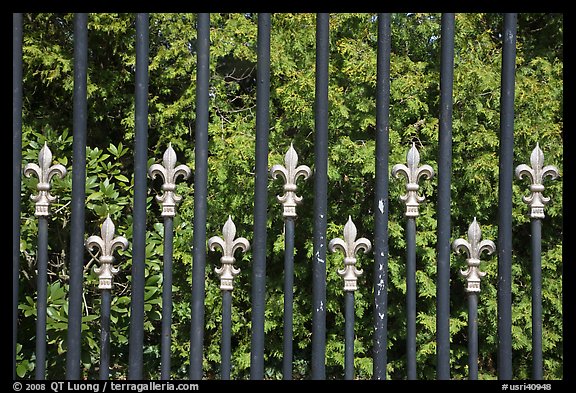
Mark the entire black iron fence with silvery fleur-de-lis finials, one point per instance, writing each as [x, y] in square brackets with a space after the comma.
[290, 173]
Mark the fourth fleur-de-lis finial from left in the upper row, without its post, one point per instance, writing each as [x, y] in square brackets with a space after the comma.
[413, 173]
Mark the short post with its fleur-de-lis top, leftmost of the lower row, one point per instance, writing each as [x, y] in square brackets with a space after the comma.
[106, 243]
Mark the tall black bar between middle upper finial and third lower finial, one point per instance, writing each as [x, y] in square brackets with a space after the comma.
[320, 199]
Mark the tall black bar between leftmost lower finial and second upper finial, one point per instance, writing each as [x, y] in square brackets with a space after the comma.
[136, 339]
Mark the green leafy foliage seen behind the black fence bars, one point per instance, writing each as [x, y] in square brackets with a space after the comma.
[414, 110]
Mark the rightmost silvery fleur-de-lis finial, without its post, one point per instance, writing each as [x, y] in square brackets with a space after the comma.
[536, 174]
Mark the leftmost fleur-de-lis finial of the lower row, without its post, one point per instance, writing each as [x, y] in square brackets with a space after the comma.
[106, 243]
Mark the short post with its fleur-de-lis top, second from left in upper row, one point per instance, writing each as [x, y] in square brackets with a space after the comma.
[169, 173]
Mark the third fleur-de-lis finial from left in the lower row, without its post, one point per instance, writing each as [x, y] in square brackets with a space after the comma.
[350, 246]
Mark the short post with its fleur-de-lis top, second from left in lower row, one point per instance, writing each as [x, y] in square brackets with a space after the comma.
[226, 272]
